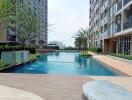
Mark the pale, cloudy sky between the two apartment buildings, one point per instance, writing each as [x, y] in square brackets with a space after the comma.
[65, 18]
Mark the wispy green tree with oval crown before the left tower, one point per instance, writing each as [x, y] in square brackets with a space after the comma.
[26, 24]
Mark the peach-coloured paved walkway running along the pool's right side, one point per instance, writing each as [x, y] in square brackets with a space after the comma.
[121, 66]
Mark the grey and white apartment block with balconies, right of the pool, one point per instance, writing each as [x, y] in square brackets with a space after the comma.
[111, 25]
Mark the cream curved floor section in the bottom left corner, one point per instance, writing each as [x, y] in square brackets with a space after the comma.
[8, 93]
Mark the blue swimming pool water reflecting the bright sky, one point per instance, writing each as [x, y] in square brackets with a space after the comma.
[64, 63]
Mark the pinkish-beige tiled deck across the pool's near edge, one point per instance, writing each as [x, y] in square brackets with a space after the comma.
[54, 87]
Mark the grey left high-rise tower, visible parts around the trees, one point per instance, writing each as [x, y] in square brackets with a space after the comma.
[40, 10]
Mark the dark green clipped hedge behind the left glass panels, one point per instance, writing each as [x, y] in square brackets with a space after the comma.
[17, 48]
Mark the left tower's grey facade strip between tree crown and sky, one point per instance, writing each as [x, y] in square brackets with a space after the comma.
[39, 7]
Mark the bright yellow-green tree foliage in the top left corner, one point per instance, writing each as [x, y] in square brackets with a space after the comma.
[7, 13]
